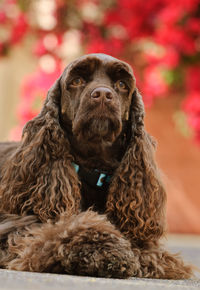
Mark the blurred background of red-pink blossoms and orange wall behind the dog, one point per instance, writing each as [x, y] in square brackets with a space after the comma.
[159, 38]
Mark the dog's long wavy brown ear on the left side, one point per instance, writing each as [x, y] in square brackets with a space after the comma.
[39, 177]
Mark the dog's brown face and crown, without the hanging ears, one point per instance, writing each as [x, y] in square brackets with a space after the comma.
[96, 94]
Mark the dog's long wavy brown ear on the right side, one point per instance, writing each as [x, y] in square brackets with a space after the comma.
[136, 196]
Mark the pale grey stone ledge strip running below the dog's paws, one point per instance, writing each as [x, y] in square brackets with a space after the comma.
[13, 280]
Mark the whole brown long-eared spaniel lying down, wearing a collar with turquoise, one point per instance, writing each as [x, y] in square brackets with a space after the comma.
[81, 192]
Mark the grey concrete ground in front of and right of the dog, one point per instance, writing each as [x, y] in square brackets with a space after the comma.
[189, 246]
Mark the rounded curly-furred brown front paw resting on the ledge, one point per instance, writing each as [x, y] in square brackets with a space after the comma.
[100, 254]
